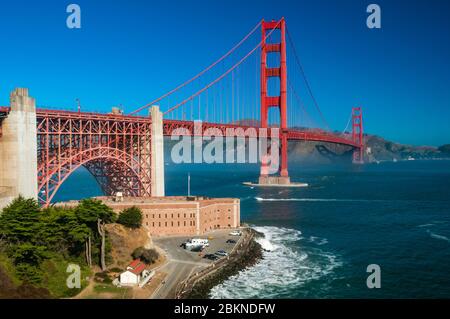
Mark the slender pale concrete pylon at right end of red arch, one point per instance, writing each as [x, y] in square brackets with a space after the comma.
[157, 153]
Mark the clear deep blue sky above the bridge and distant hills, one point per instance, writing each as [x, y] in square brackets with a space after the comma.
[130, 52]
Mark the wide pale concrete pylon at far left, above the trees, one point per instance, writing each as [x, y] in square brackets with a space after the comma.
[18, 149]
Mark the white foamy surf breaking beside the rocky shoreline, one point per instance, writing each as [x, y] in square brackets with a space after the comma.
[283, 268]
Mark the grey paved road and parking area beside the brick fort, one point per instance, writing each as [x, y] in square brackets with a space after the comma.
[182, 263]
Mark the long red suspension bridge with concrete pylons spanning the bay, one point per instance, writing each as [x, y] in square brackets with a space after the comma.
[248, 87]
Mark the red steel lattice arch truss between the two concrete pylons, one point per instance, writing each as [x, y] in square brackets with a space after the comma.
[115, 149]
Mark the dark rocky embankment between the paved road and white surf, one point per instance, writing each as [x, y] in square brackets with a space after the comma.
[246, 255]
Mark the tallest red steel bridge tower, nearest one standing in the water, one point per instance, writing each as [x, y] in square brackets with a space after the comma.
[279, 101]
